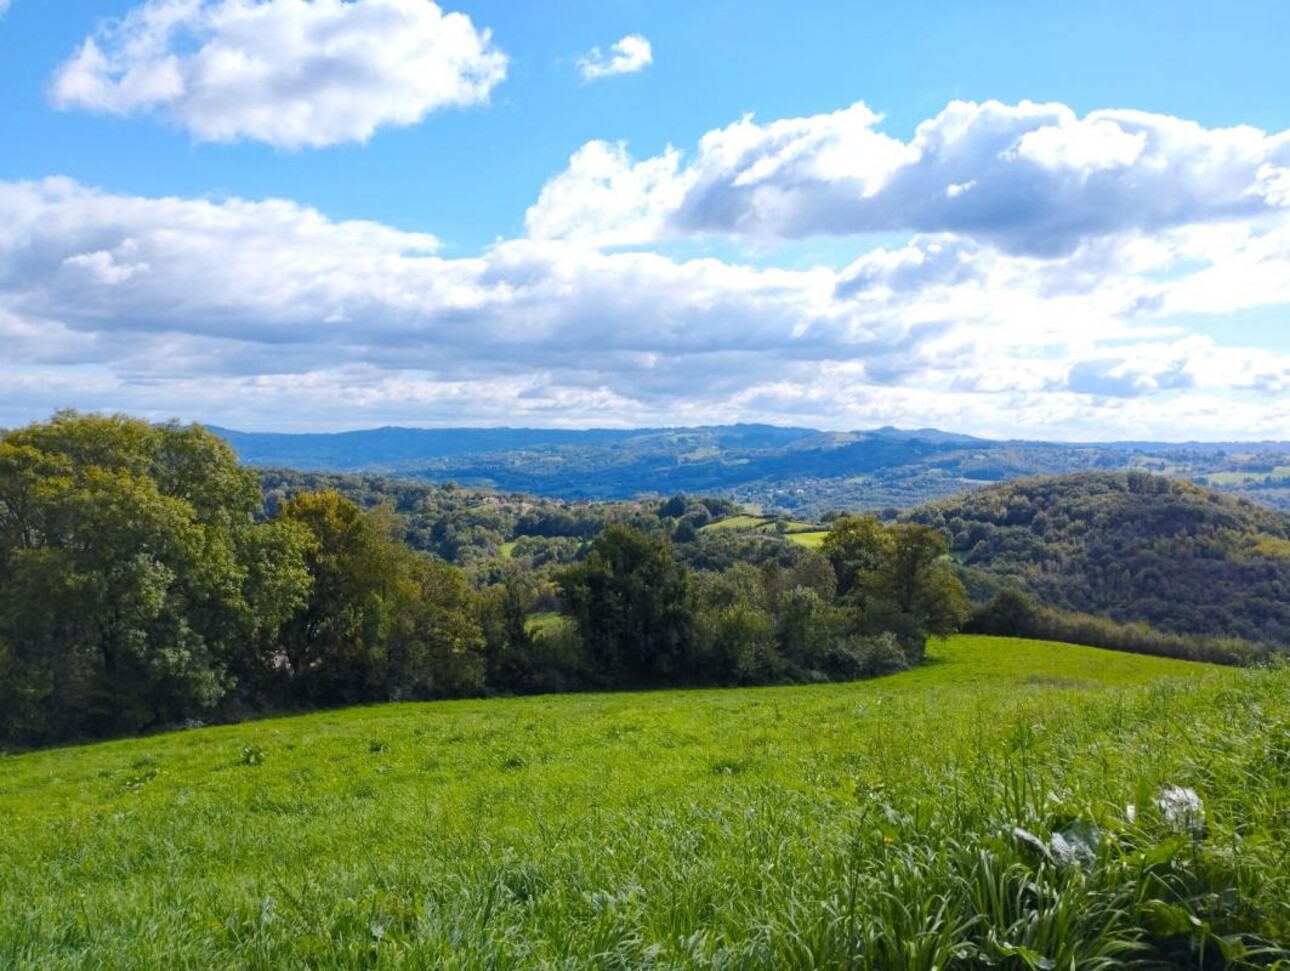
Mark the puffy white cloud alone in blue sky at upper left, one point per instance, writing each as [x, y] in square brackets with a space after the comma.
[291, 73]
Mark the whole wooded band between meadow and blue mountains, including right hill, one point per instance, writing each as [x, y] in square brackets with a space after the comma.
[148, 580]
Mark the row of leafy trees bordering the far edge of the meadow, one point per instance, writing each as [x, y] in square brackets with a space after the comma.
[146, 584]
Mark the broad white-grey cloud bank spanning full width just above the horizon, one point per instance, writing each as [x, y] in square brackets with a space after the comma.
[252, 311]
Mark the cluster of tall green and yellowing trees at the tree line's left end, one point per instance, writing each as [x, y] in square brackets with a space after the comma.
[141, 586]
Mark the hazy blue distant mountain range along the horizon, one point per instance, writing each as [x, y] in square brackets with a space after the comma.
[797, 470]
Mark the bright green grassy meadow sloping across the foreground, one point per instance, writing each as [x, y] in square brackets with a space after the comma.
[973, 813]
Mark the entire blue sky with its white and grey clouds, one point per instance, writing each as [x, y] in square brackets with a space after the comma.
[1012, 220]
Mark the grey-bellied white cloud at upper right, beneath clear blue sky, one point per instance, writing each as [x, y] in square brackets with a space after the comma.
[1031, 180]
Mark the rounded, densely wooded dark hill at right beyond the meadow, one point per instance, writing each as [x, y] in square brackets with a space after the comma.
[1132, 547]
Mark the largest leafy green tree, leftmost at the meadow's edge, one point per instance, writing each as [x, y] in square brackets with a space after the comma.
[132, 574]
